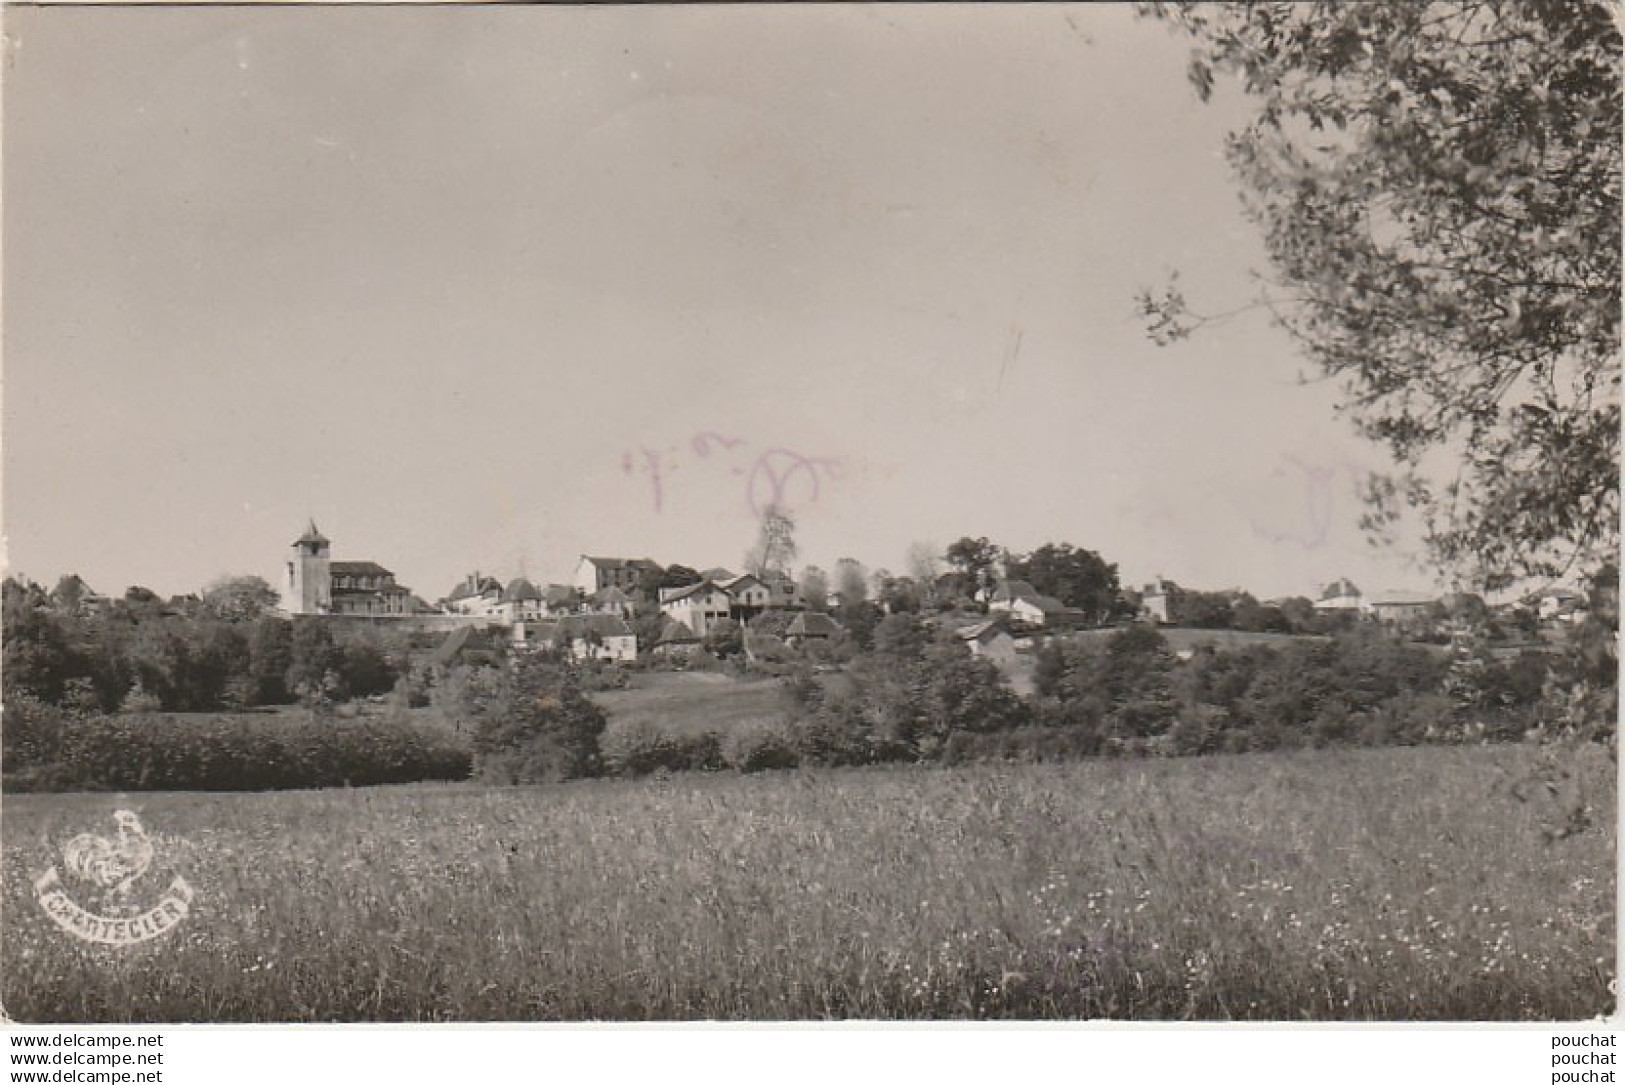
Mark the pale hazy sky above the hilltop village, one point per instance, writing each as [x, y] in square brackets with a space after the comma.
[490, 288]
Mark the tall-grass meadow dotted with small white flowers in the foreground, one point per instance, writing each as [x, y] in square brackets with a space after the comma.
[1341, 886]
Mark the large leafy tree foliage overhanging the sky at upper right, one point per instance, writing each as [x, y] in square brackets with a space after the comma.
[1439, 189]
